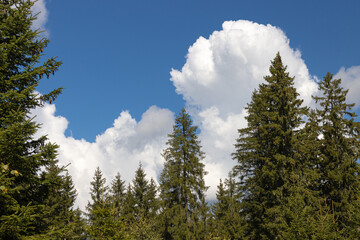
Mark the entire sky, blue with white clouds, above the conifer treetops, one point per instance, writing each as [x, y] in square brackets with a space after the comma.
[129, 66]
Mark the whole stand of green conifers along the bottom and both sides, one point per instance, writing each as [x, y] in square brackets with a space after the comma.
[296, 174]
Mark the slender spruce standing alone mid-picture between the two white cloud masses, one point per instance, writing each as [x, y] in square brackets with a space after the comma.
[182, 183]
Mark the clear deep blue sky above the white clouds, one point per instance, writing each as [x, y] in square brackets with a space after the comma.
[117, 55]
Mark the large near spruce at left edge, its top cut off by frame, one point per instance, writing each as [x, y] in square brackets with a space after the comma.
[22, 66]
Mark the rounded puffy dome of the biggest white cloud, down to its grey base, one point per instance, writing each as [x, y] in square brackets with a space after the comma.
[224, 69]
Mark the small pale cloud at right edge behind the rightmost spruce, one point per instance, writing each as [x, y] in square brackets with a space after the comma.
[350, 79]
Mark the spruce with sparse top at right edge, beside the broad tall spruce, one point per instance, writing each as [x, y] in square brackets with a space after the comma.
[339, 144]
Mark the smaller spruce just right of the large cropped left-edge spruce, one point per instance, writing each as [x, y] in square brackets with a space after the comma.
[59, 219]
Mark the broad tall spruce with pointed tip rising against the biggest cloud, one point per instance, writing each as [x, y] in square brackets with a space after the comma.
[268, 151]
